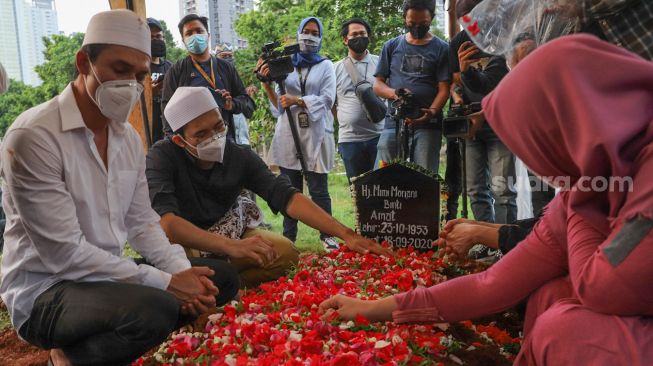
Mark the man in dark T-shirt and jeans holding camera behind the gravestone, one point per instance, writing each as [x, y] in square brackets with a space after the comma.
[416, 61]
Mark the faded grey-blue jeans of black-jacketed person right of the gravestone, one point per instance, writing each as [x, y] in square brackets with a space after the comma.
[491, 178]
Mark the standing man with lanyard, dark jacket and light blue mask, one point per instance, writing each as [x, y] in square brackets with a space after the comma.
[201, 68]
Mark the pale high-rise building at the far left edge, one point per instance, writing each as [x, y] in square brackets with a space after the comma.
[24, 24]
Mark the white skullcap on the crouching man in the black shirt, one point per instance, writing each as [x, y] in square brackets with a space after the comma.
[188, 103]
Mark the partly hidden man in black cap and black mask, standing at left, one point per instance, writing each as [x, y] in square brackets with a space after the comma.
[158, 67]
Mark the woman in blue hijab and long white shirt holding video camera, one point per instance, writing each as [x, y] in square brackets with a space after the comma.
[310, 93]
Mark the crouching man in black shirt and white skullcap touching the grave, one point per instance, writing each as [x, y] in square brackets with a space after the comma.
[196, 179]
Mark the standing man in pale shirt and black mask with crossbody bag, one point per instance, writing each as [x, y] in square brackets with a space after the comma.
[357, 135]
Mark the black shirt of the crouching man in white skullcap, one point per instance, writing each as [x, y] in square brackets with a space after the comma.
[202, 197]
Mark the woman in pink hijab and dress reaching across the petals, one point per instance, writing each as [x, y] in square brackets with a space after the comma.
[581, 110]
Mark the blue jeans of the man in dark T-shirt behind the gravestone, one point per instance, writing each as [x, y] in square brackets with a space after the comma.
[425, 147]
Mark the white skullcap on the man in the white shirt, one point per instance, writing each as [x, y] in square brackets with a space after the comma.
[120, 27]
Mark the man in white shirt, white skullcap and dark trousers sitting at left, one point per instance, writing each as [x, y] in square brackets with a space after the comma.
[75, 192]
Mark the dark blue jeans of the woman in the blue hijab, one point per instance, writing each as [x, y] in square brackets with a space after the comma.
[318, 188]
